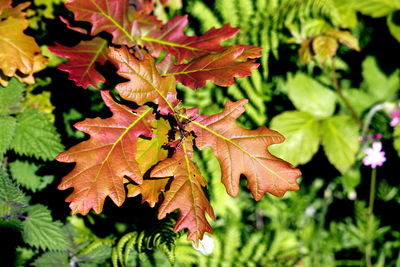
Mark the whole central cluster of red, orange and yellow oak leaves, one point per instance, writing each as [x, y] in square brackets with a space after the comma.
[151, 148]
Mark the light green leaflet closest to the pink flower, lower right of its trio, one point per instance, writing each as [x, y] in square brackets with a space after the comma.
[340, 139]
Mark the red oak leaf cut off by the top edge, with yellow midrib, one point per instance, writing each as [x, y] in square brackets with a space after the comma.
[119, 19]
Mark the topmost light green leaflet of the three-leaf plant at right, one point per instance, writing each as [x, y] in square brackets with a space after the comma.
[310, 96]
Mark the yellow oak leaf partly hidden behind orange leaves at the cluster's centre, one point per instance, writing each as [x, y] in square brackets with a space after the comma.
[149, 153]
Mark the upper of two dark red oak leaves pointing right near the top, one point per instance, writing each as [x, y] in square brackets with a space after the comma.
[171, 38]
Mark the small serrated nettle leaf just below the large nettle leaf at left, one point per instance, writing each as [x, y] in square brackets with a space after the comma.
[24, 174]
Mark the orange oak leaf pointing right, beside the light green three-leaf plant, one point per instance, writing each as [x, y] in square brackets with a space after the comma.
[242, 151]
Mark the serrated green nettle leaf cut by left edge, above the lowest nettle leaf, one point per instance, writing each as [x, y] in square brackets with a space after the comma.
[12, 199]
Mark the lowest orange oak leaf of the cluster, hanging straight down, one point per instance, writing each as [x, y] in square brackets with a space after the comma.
[185, 192]
